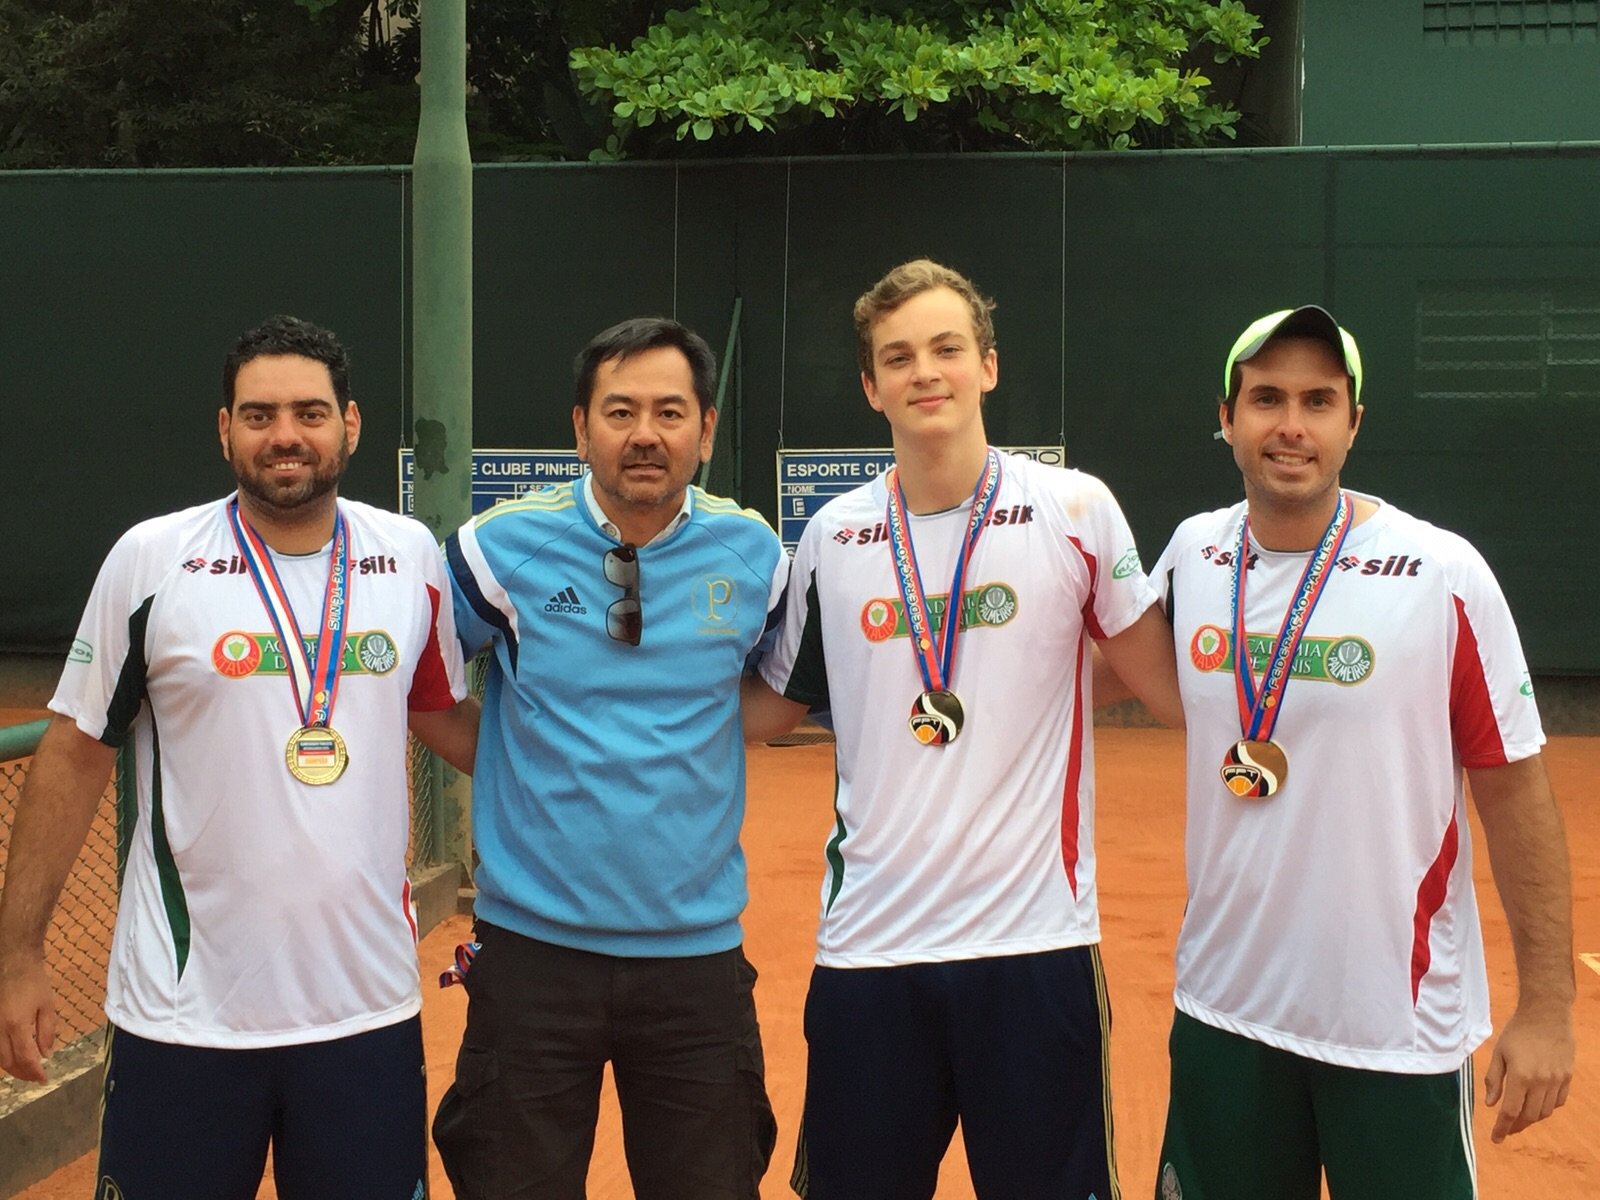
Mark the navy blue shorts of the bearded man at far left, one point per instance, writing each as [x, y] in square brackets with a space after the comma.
[345, 1119]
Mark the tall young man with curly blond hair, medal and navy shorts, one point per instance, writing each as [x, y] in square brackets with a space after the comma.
[959, 974]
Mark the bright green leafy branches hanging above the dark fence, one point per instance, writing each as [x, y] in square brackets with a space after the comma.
[825, 78]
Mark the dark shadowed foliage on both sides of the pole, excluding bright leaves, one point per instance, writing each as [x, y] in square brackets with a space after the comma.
[287, 82]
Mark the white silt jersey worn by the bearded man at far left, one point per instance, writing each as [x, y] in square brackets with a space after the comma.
[260, 911]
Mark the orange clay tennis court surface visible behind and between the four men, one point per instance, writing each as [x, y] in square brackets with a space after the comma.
[1140, 775]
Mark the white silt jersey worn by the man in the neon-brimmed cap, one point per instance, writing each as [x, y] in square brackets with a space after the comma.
[1337, 919]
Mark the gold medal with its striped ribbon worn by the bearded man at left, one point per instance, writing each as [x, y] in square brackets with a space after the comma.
[316, 753]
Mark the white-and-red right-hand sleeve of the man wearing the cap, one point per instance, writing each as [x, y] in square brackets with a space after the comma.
[1494, 716]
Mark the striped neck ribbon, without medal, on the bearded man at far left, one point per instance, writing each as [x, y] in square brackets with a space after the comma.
[316, 684]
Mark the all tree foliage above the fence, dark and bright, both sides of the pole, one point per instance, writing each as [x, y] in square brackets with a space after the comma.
[300, 82]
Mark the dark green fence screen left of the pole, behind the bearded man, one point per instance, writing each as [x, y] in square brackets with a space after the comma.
[119, 297]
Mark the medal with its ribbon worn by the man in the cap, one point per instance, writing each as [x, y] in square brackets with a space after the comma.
[1257, 767]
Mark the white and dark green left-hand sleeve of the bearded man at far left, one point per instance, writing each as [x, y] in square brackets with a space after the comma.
[103, 684]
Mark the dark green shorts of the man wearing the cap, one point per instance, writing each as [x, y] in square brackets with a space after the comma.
[1250, 1122]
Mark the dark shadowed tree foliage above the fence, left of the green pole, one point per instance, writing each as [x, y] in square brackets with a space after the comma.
[199, 84]
